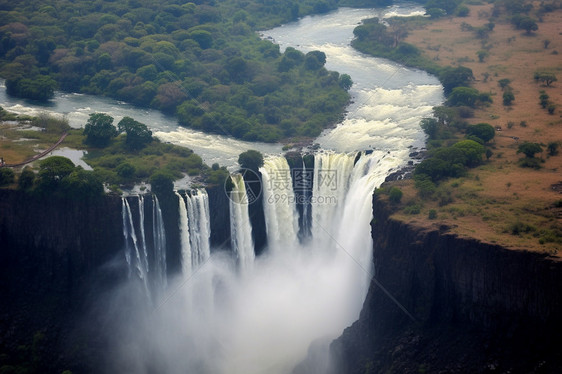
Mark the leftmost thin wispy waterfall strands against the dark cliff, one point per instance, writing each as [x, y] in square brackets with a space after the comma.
[138, 263]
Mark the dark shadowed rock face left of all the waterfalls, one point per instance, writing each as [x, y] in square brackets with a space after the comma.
[52, 253]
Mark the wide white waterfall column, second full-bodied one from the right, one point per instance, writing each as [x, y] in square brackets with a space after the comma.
[281, 218]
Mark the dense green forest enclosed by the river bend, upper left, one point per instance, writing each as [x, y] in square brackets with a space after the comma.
[202, 61]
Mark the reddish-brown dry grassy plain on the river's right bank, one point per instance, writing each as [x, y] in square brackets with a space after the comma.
[500, 194]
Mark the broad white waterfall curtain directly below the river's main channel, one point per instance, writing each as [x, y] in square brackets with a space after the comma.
[331, 180]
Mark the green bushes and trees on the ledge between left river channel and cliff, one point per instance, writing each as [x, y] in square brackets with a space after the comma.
[125, 155]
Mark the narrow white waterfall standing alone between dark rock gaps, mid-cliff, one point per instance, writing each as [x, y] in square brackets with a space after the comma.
[240, 226]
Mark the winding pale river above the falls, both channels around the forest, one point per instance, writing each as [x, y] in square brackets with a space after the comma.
[388, 100]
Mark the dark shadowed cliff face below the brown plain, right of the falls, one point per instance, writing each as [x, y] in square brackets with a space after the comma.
[477, 307]
